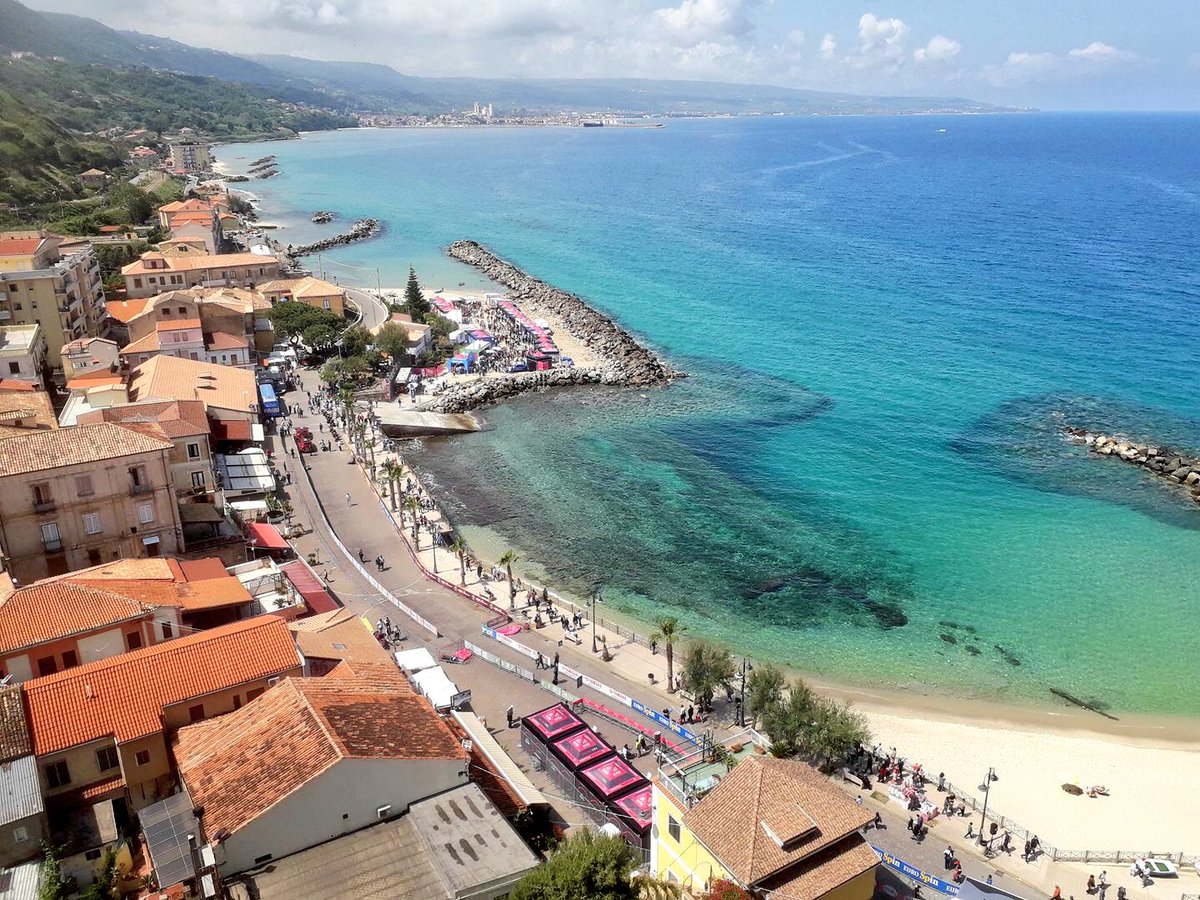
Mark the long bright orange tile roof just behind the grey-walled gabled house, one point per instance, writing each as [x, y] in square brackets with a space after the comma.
[123, 698]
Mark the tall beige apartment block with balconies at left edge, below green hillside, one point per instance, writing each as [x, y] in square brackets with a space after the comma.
[64, 295]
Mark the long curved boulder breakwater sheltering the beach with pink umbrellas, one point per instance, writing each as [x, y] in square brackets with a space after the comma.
[626, 362]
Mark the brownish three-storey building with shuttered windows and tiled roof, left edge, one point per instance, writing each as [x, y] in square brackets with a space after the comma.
[83, 496]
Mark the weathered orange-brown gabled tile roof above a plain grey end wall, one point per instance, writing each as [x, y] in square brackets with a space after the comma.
[239, 766]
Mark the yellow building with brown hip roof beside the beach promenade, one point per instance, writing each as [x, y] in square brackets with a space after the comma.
[776, 827]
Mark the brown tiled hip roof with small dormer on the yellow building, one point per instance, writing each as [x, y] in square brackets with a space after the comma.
[770, 814]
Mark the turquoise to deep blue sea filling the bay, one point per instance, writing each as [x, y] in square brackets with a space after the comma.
[886, 325]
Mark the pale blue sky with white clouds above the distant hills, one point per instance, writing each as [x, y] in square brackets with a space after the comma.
[1051, 55]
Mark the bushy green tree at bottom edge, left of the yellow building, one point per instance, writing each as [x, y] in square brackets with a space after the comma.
[585, 866]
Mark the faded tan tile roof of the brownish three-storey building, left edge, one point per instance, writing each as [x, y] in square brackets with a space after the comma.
[49, 451]
